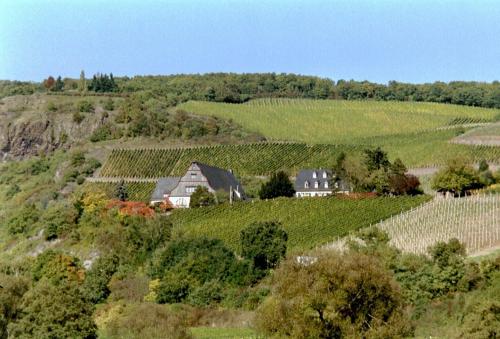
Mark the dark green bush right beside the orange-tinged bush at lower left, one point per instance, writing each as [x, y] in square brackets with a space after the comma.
[95, 287]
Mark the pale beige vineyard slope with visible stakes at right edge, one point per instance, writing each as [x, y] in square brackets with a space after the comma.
[474, 220]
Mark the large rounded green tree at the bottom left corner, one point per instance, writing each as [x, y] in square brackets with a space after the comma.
[49, 311]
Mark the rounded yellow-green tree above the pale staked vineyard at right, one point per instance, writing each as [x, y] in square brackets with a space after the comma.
[457, 178]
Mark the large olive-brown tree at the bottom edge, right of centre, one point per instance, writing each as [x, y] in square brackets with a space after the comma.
[339, 295]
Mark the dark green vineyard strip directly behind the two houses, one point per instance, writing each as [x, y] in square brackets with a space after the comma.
[247, 159]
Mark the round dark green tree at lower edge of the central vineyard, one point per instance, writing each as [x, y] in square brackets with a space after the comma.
[264, 243]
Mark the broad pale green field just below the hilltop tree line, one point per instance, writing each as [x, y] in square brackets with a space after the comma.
[337, 121]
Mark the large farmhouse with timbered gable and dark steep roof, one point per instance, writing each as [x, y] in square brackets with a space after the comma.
[178, 190]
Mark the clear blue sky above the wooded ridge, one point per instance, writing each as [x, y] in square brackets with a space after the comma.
[378, 40]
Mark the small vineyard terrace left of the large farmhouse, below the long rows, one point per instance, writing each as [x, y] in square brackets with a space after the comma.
[137, 190]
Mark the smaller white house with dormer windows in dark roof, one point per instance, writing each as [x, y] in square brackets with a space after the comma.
[318, 183]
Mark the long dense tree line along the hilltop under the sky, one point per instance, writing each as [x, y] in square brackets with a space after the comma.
[238, 88]
